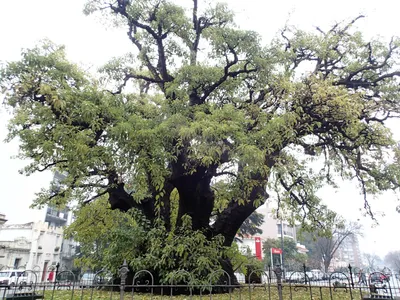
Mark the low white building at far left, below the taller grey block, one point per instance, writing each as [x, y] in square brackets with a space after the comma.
[31, 246]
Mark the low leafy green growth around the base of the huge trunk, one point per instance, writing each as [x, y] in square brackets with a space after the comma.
[108, 237]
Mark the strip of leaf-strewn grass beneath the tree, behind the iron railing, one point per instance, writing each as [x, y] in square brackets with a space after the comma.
[258, 293]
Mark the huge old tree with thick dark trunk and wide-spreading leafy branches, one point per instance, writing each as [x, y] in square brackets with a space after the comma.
[195, 126]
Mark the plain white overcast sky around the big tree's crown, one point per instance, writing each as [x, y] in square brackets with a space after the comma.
[24, 22]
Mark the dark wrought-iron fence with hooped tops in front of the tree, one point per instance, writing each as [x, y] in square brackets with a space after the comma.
[268, 284]
